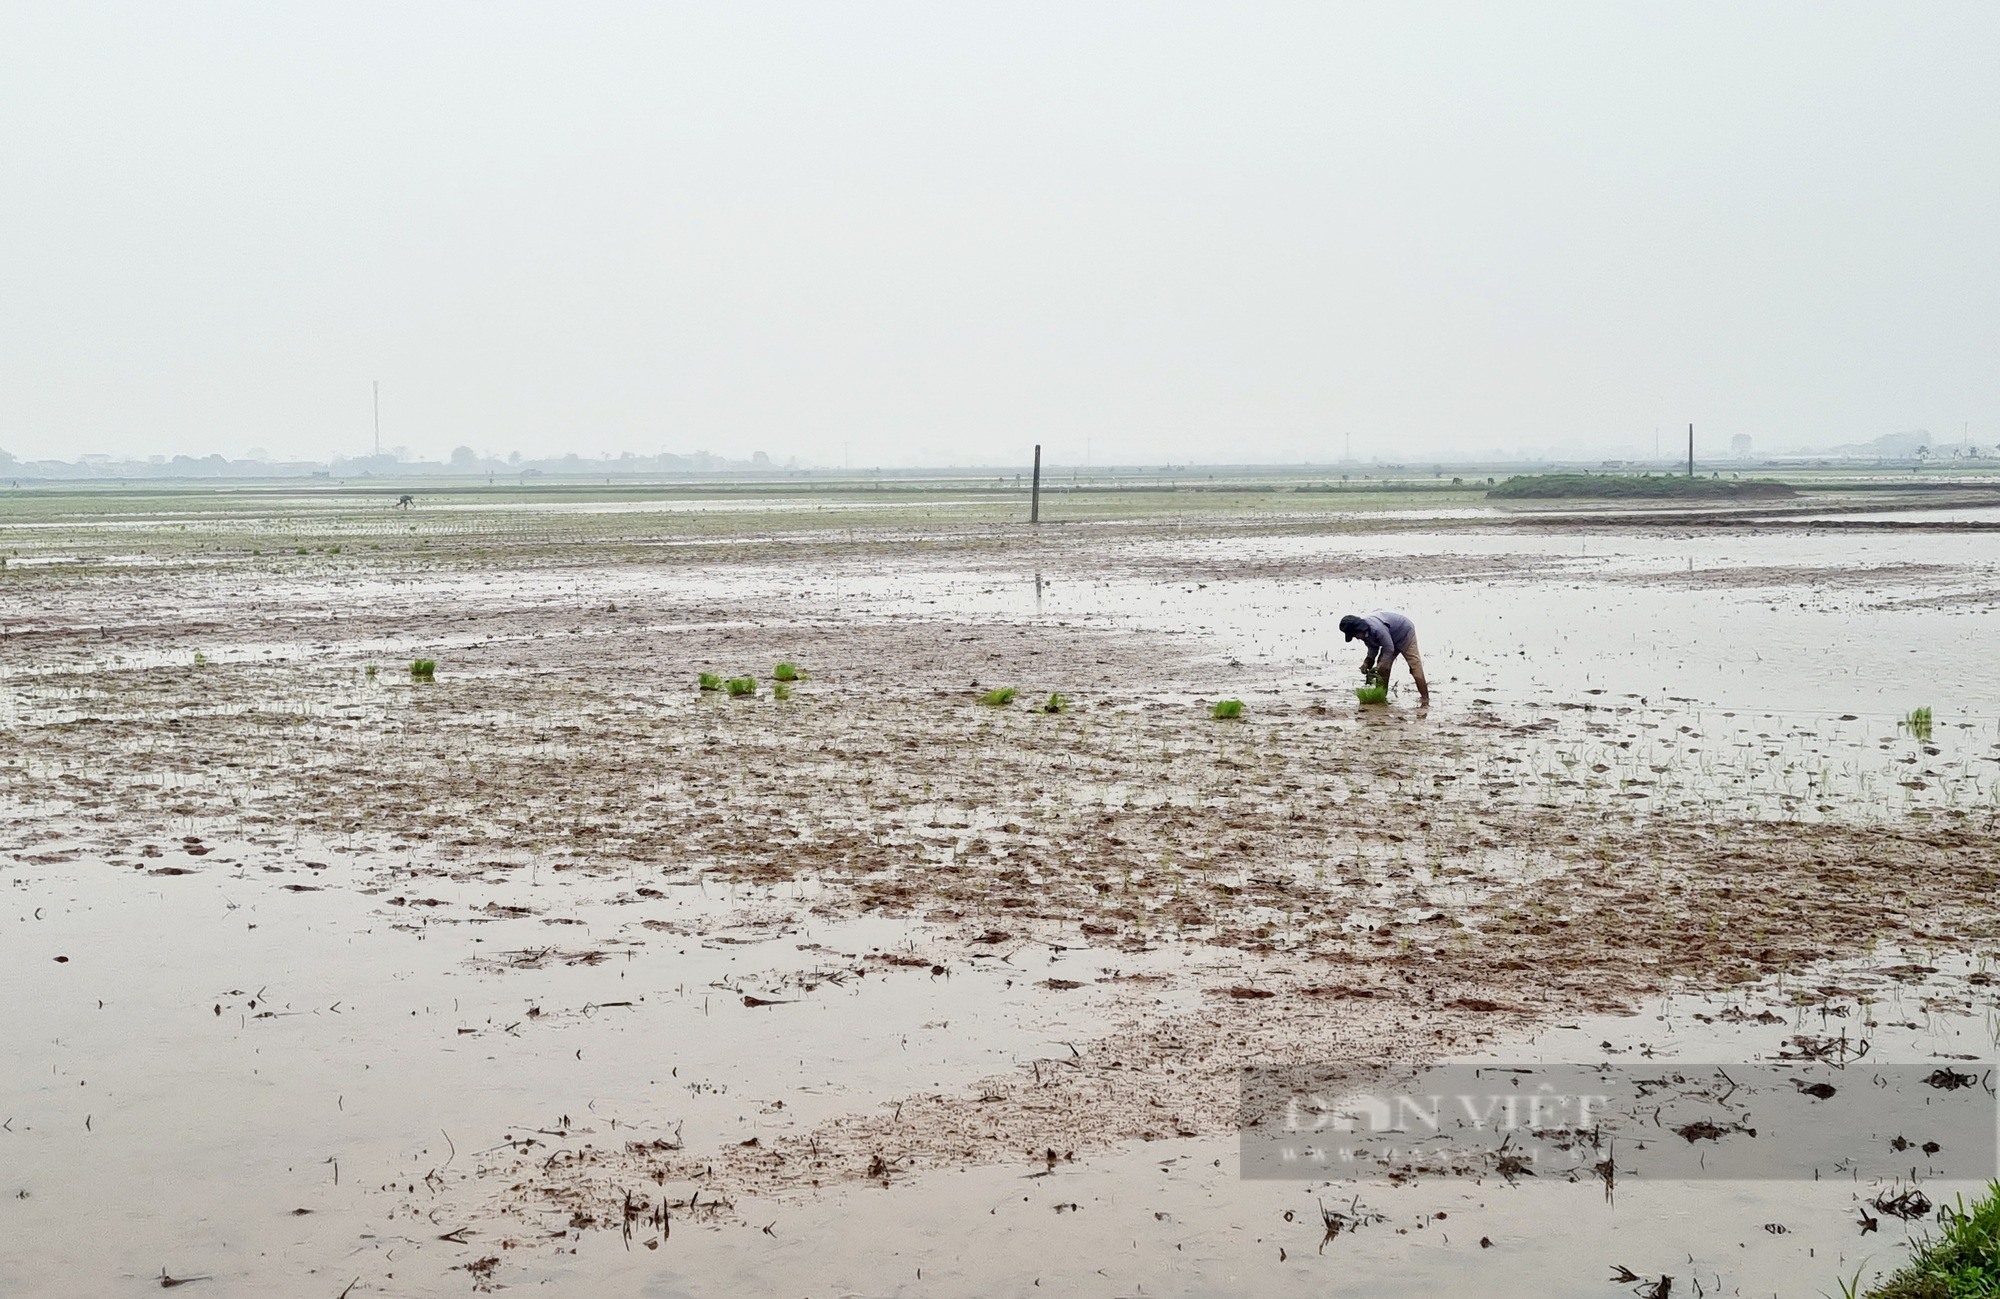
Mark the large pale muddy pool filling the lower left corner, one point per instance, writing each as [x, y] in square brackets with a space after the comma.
[211, 1074]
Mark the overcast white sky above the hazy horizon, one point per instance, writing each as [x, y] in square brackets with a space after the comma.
[941, 233]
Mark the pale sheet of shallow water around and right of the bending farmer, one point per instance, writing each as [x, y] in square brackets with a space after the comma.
[1717, 660]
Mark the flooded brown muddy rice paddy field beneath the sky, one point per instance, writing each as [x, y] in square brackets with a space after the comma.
[563, 972]
